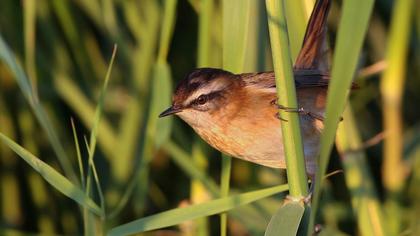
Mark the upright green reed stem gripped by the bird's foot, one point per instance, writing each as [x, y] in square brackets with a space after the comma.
[286, 91]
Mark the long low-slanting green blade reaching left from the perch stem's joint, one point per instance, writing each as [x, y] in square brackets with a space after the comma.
[176, 216]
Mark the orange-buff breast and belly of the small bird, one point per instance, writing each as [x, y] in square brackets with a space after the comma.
[253, 136]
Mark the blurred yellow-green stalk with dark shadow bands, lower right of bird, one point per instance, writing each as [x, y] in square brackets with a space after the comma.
[366, 204]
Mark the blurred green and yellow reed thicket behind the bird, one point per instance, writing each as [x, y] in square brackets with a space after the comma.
[146, 165]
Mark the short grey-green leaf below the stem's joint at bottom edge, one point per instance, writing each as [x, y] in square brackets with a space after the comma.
[286, 220]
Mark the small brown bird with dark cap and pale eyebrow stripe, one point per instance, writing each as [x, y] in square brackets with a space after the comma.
[237, 113]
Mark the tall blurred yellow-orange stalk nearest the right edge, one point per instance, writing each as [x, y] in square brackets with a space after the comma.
[394, 170]
